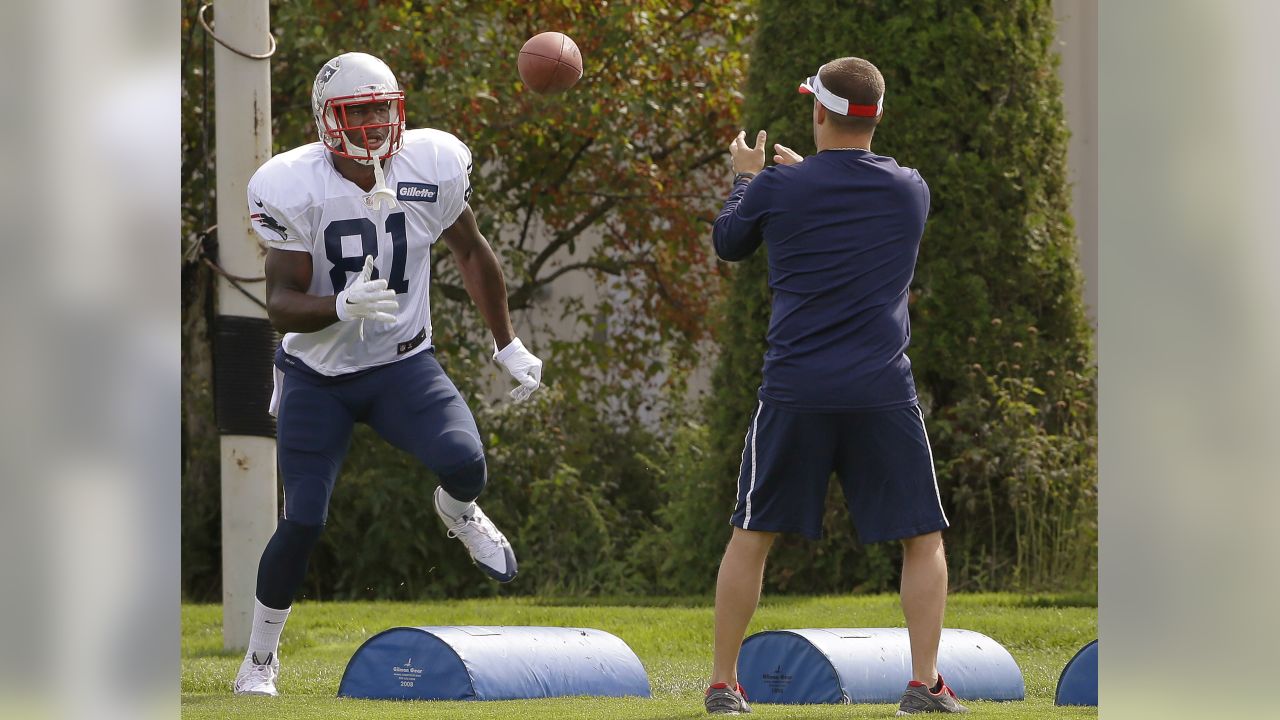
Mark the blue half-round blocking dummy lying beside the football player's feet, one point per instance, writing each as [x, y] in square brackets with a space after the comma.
[502, 663]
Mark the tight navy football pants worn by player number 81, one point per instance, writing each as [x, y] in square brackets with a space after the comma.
[410, 403]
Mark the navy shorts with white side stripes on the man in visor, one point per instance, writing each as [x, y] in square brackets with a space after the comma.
[883, 459]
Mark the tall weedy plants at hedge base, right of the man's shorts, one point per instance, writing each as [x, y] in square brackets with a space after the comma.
[1034, 490]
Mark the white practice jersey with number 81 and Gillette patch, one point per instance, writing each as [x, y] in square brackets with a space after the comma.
[299, 203]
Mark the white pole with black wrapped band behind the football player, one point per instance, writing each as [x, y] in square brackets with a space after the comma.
[244, 136]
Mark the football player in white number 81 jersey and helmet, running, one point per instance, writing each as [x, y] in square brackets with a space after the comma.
[350, 224]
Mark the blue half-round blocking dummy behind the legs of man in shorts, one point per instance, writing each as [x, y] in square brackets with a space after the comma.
[844, 666]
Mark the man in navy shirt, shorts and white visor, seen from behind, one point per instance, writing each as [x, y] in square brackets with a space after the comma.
[843, 231]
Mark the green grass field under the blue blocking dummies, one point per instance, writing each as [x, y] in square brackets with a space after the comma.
[671, 637]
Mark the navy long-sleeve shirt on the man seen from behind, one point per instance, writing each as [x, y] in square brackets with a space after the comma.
[843, 231]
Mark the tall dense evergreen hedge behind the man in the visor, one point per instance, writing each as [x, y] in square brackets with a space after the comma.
[973, 102]
